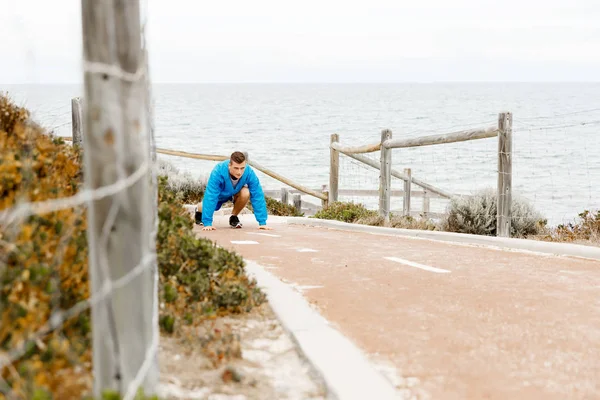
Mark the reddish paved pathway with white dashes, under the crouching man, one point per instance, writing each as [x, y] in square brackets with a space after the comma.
[462, 322]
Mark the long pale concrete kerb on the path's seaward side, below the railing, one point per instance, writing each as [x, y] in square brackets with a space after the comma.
[527, 245]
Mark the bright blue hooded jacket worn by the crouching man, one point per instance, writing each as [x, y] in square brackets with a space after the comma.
[219, 189]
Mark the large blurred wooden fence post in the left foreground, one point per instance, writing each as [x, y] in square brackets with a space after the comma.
[116, 147]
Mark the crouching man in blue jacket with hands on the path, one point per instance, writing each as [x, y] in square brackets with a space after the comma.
[232, 180]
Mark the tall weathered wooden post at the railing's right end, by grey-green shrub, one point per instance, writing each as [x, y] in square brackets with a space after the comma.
[503, 221]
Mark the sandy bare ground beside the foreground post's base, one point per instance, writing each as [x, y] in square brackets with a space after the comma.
[264, 364]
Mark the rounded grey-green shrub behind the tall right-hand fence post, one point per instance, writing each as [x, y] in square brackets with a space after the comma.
[477, 215]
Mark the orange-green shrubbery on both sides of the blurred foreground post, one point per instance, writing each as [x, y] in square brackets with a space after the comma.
[44, 265]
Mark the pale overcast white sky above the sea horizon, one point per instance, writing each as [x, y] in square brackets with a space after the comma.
[322, 41]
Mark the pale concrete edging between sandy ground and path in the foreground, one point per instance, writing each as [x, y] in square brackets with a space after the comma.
[341, 365]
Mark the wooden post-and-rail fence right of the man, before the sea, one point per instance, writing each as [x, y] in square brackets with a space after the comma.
[503, 130]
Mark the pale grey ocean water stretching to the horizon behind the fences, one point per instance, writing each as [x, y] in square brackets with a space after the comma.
[287, 128]
